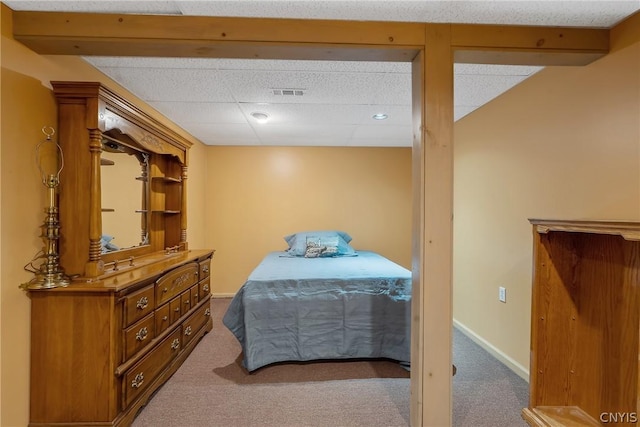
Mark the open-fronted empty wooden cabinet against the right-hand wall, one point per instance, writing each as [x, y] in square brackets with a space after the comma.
[585, 324]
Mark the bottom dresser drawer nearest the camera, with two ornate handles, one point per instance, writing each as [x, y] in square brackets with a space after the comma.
[143, 373]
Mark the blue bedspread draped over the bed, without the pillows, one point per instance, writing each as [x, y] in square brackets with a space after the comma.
[299, 309]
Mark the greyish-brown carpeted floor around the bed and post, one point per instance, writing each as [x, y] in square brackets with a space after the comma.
[212, 389]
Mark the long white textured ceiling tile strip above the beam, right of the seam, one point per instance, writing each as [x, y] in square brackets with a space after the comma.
[552, 13]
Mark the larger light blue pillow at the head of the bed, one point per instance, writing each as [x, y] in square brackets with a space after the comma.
[333, 241]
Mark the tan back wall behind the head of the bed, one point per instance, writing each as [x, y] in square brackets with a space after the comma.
[257, 195]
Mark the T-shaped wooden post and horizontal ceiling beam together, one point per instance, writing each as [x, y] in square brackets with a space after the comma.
[432, 49]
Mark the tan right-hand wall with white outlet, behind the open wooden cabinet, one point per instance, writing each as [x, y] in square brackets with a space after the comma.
[564, 144]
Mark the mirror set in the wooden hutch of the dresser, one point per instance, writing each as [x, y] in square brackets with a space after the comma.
[125, 196]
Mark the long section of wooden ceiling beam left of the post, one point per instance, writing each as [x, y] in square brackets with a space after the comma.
[64, 33]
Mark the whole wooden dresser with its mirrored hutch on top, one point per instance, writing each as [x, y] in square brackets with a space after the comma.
[138, 300]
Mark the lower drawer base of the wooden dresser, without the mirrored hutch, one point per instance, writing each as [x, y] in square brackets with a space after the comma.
[99, 350]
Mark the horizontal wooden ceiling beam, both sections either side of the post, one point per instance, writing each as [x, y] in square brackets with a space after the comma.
[64, 33]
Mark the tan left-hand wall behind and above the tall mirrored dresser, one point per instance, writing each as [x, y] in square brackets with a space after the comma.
[27, 105]
